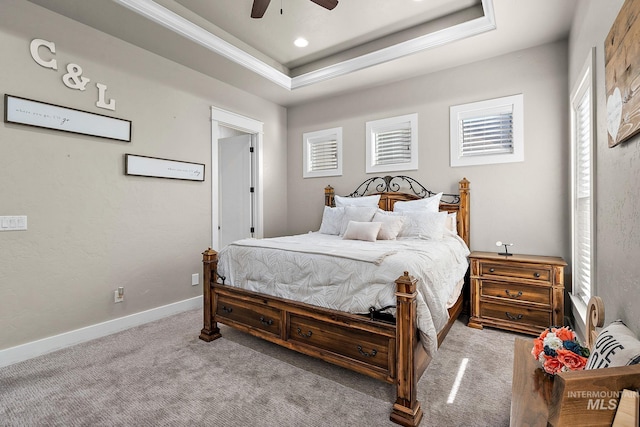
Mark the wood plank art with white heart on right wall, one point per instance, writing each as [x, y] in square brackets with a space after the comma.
[622, 74]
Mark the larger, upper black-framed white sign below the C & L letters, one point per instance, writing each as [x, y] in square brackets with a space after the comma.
[44, 115]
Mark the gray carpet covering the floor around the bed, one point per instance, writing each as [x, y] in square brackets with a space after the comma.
[161, 374]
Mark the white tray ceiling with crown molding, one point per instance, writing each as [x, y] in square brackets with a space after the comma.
[359, 44]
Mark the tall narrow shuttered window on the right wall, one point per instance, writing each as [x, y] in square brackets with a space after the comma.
[582, 136]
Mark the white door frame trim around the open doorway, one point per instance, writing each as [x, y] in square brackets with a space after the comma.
[225, 118]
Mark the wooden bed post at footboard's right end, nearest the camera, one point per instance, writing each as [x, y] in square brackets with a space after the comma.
[406, 410]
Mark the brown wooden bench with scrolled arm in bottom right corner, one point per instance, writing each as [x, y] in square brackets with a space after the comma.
[575, 398]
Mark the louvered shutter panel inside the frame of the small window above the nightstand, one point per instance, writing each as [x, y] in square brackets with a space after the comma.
[483, 135]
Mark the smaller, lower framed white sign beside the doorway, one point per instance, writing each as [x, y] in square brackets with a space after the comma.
[163, 168]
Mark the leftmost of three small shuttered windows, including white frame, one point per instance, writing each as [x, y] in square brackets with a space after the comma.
[322, 153]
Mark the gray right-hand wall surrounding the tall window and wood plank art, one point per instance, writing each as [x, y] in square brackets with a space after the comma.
[617, 176]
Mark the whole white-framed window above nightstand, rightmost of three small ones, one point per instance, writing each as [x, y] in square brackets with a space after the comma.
[487, 132]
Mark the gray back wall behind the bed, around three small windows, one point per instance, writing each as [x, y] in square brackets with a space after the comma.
[524, 203]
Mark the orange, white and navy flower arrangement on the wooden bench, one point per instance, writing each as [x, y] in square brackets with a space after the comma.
[558, 350]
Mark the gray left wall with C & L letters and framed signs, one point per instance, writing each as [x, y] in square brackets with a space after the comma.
[90, 227]
